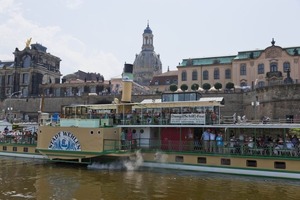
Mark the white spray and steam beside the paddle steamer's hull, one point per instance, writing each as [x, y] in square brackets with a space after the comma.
[130, 164]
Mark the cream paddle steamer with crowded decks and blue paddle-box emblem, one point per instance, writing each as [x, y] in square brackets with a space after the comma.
[184, 131]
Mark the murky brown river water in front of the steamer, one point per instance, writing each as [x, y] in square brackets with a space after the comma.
[35, 179]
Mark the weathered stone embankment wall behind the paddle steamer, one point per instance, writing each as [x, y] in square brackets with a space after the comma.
[275, 102]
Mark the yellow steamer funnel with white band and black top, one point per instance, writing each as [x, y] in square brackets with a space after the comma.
[127, 78]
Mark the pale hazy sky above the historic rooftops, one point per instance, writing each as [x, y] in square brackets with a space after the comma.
[99, 36]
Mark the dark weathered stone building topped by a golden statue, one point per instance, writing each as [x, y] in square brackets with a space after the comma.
[31, 67]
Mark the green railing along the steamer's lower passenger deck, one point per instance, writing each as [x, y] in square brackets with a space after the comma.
[202, 148]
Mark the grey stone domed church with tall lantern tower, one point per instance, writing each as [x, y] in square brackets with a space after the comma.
[147, 63]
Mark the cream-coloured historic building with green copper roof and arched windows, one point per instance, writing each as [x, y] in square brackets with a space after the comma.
[259, 68]
